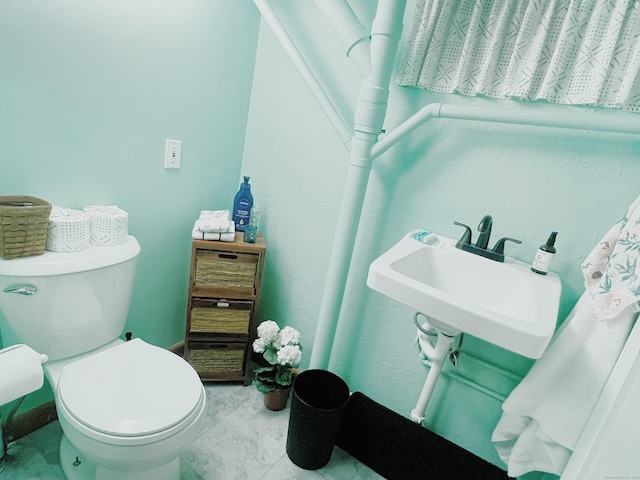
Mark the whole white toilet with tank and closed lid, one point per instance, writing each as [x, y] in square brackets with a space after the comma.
[127, 409]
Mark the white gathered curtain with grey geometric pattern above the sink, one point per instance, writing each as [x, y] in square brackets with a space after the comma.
[565, 51]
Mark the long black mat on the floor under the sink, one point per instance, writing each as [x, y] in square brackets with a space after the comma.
[399, 449]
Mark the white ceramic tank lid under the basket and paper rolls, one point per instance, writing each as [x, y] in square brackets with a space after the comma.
[58, 263]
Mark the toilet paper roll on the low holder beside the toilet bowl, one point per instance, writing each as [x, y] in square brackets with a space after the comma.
[21, 368]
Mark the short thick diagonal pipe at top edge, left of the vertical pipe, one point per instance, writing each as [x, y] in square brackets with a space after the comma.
[353, 36]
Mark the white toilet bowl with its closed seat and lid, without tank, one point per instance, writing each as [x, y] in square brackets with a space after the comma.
[127, 412]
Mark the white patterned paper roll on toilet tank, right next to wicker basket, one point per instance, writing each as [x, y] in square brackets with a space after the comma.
[69, 230]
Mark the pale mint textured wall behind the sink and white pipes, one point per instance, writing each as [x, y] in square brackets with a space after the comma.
[532, 180]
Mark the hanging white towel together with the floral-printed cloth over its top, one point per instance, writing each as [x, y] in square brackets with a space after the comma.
[545, 414]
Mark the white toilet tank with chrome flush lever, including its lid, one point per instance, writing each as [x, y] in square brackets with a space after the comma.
[65, 304]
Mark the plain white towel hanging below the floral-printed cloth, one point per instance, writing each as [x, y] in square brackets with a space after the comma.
[545, 414]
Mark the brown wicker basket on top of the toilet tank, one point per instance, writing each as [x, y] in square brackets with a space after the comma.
[23, 226]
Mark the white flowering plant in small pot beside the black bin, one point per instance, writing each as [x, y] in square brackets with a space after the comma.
[282, 351]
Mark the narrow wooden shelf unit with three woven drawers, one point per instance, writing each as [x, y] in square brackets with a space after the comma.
[224, 291]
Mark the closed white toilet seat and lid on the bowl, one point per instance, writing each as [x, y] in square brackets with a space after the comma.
[131, 390]
